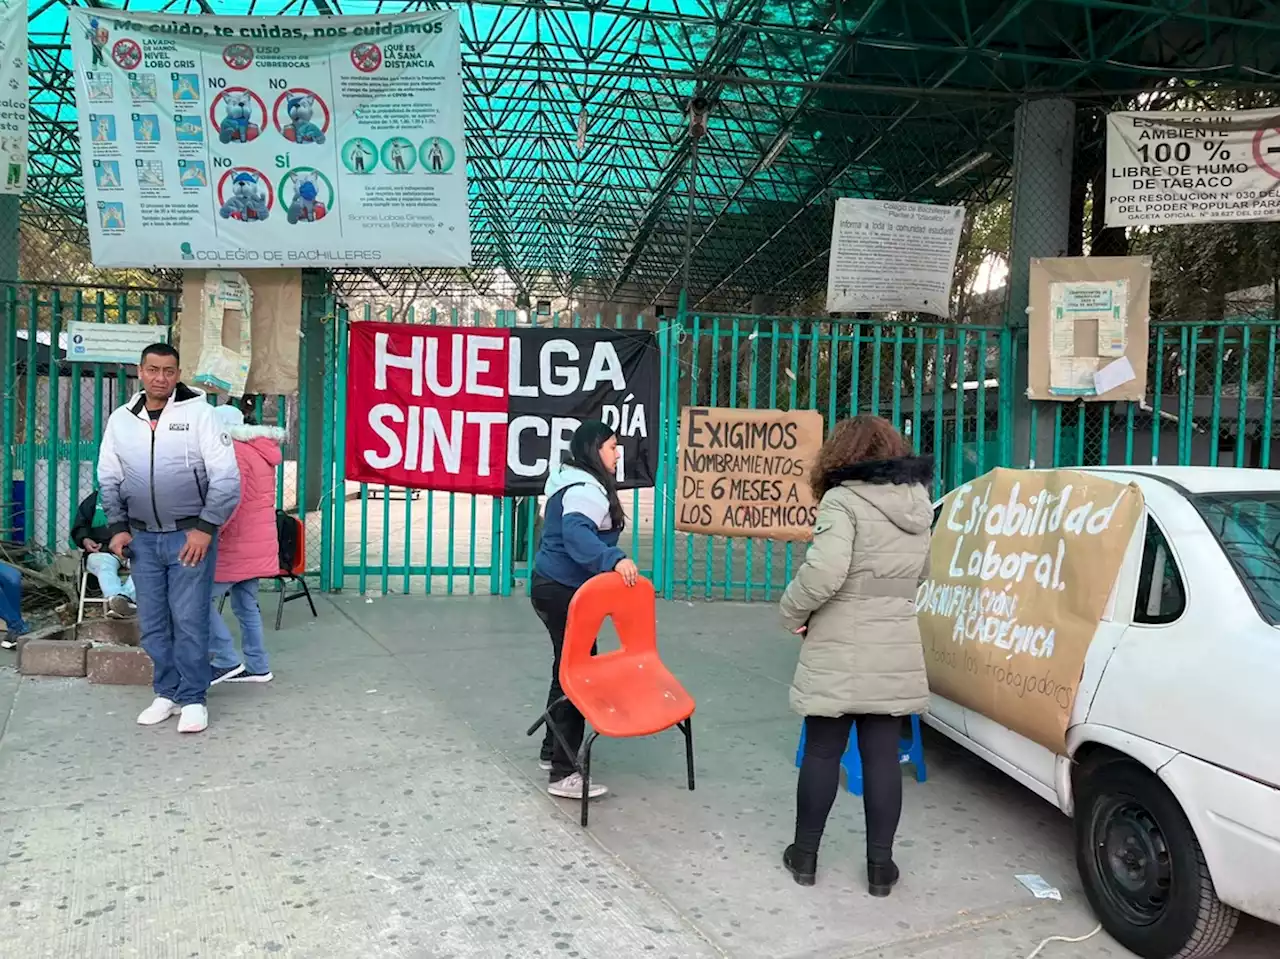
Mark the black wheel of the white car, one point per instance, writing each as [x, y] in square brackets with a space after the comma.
[1144, 870]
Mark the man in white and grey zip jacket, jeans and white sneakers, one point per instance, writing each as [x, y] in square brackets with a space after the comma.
[168, 481]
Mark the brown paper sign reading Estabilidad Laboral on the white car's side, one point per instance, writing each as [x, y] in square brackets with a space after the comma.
[1022, 565]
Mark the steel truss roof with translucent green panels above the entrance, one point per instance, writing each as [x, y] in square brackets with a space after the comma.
[580, 157]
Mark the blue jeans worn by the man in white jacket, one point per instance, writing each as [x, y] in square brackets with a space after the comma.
[173, 614]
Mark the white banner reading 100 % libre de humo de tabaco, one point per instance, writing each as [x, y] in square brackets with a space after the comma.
[1168, 167]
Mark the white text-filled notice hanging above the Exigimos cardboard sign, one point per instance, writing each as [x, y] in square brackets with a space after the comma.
[890, 257]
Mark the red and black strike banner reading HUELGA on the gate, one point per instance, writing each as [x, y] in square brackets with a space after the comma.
[479, 410]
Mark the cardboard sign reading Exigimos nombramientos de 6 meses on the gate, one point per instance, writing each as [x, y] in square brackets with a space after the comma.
[746, 473]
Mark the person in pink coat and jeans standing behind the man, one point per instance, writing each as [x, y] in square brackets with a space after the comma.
[248, 549]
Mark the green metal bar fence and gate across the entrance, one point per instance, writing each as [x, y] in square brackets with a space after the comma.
[954, 391]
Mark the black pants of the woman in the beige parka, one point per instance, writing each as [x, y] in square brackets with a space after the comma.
[826, 741]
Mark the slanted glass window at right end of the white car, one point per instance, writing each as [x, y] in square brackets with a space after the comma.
[1247, 526]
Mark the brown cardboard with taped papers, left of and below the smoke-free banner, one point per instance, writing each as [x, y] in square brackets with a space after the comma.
[1089, 325]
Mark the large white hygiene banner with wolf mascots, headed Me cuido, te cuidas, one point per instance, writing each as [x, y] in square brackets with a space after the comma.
[280, 141]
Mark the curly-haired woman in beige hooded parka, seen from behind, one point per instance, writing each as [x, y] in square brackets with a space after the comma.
[862, 663]
